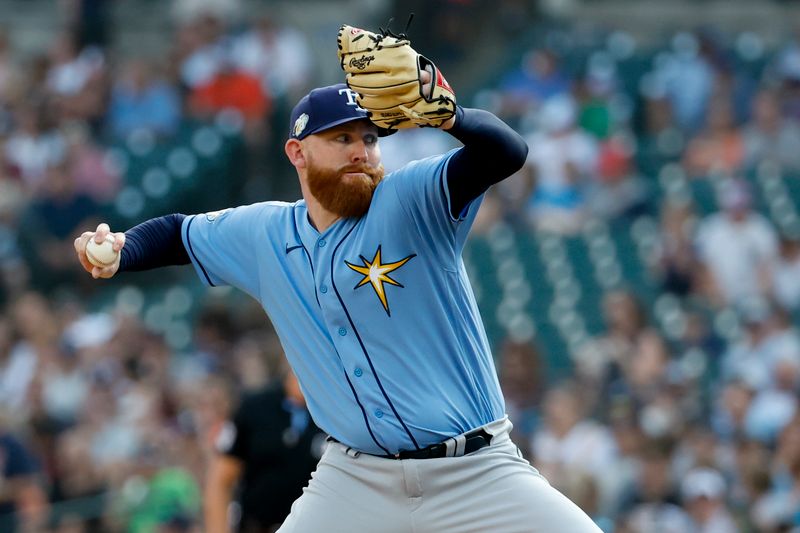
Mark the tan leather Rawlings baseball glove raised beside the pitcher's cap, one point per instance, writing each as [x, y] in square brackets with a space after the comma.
[386, 73]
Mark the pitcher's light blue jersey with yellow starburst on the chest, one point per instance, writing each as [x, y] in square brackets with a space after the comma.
[376, 314]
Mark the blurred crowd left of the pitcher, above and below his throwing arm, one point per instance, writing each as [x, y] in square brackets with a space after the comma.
[103, 427]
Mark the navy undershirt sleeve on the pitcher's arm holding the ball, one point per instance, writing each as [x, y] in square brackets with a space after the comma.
[154, 243]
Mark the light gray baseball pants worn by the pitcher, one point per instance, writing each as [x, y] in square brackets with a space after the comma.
[490, 490]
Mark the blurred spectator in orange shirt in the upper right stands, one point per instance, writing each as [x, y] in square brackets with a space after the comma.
[717, 148]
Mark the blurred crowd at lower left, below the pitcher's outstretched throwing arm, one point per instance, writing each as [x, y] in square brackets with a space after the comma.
[104, 420]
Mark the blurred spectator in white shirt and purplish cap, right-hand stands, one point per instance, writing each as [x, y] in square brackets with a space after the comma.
[736, 247]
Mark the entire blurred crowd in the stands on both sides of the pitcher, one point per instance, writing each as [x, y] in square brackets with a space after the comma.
[104, 426]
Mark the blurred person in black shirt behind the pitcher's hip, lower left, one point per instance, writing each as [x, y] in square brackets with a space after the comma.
[270, 447]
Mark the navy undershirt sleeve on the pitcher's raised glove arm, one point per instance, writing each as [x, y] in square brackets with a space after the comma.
[492, 151]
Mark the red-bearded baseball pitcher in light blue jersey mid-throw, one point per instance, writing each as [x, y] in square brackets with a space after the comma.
[364, 283]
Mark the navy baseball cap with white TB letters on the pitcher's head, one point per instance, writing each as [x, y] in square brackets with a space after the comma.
[324, 108]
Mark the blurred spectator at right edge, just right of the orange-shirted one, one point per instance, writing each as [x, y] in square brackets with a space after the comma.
[770, 136]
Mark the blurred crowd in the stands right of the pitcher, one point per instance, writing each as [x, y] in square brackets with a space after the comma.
[696, 428]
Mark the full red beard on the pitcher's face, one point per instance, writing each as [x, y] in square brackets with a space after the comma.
[345, 197]
